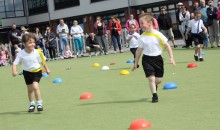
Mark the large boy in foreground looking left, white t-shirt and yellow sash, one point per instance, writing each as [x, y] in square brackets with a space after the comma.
[151, 44]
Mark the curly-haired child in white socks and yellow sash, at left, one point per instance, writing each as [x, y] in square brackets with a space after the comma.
[30, 60]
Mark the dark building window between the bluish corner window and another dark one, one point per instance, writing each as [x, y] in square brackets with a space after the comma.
[37, 6]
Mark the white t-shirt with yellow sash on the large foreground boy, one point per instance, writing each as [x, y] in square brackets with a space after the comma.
[152, 43]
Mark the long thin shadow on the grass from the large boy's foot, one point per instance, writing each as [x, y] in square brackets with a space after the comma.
[113, 102]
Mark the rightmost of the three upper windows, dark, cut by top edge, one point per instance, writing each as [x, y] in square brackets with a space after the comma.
[61, 4]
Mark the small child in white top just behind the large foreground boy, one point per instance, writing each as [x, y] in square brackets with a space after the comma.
[132, 39]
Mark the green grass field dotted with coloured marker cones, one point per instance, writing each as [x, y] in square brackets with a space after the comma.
[118, 100]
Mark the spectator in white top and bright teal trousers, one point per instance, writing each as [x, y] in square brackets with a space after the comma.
[77, 33]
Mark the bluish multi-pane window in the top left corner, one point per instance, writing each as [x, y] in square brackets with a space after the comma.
[11, 8]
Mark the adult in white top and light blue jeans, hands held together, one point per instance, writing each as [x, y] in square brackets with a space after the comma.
[62, 31]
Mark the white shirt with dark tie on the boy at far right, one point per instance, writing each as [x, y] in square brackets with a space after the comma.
[193, 25]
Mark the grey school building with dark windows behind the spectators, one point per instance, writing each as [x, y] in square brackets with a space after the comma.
[43, 13]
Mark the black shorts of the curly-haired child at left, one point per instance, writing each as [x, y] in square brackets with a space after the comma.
[31, 77]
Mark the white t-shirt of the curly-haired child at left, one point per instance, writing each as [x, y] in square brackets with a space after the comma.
[29, 61]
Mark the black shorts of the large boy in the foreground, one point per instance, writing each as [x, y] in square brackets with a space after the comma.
[153, 65]
